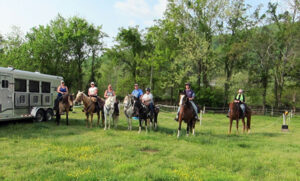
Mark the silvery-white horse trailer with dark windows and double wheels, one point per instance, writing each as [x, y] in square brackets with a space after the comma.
[26, 94]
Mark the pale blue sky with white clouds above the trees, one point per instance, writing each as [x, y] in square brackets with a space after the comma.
[111, 14]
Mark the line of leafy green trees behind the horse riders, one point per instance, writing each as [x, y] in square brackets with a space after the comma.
[217, 46]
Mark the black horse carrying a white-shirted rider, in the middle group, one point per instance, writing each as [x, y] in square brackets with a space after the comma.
[144, 113]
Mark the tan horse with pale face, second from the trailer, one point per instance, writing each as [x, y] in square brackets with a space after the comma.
[90, 108]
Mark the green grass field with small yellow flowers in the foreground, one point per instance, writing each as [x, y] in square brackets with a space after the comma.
[44, 151]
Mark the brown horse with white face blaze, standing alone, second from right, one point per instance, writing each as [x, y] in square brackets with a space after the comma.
[187, 114]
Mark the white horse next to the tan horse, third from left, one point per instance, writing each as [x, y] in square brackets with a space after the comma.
[108, 112]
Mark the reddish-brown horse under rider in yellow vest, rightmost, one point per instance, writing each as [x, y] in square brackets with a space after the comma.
[235, 113]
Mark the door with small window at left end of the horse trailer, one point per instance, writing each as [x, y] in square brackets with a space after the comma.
[6, 95]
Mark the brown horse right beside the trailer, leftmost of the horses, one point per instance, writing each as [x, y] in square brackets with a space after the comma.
[64, 105]
